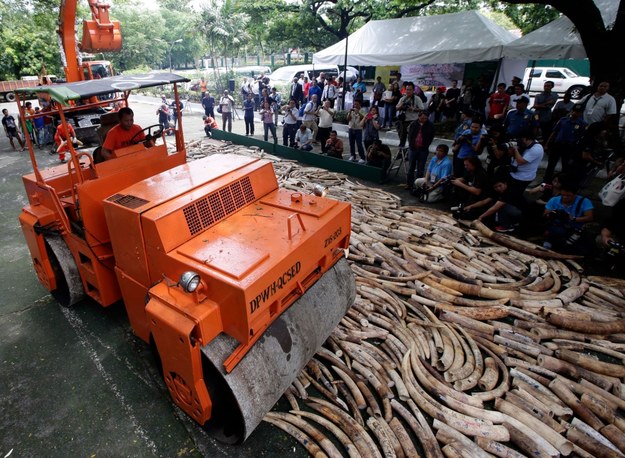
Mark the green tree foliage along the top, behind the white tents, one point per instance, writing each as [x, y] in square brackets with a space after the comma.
[232, 27]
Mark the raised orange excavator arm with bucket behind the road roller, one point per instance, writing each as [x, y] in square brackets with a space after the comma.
[100, 34]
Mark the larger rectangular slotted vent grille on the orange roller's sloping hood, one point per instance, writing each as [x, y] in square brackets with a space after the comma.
[217, 205]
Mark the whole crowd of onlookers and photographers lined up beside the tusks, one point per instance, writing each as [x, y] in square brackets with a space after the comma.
[498, 146]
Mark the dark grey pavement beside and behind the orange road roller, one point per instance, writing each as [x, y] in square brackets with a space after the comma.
[76, 382]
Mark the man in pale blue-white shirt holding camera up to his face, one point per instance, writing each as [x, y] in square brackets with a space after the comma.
[525, 159]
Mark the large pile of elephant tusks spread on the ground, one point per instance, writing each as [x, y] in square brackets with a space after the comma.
[461, 343]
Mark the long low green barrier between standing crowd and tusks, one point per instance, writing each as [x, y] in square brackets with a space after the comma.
[353, 169]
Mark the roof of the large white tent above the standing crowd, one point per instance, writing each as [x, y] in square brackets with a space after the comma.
[448, 38]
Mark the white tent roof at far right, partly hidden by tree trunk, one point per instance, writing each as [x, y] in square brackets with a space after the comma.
[558, 39]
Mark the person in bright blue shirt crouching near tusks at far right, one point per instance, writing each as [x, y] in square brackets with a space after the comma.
[566, 216]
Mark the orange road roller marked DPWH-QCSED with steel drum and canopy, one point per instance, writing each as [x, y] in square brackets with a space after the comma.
[232, 281]
